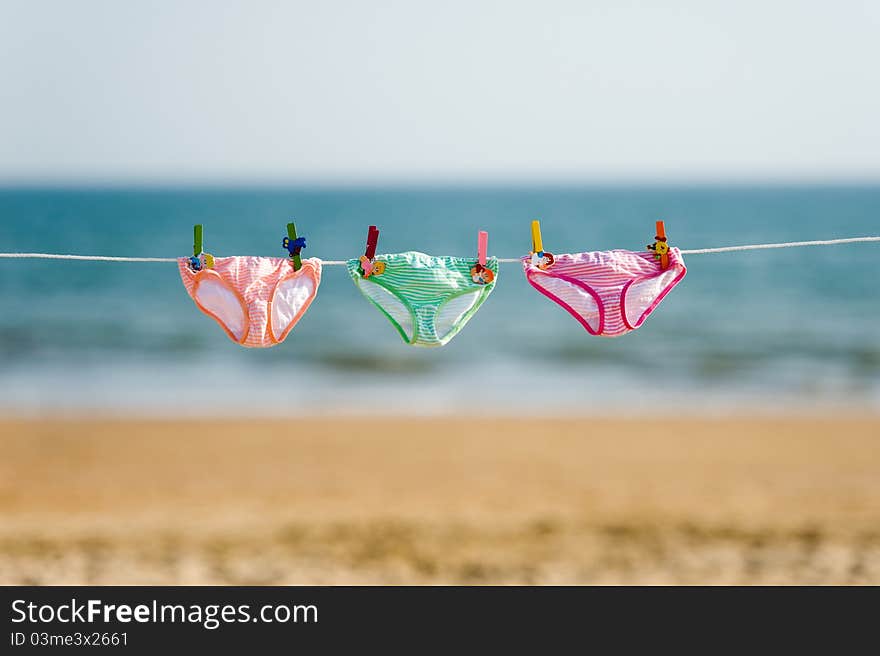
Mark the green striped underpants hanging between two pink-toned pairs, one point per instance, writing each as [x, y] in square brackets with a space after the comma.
[427, 299]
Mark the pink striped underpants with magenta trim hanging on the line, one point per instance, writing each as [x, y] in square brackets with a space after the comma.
[610, 293]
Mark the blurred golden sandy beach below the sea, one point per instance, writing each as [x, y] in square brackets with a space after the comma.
[401, 501]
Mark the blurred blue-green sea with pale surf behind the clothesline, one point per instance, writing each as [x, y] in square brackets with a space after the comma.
[793, 329]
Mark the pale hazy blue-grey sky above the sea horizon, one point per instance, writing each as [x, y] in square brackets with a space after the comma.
[474, 91]
